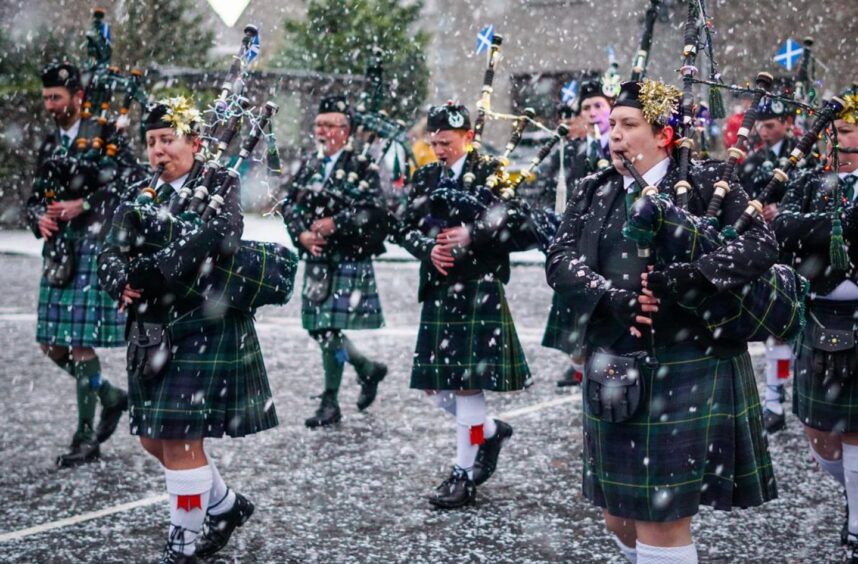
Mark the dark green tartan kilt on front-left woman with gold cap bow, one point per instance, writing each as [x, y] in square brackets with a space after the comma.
[215, 383]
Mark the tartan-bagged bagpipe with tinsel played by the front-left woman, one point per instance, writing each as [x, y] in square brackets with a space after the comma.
[256, 273]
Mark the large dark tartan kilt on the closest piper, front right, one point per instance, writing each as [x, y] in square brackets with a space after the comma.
[697, 439]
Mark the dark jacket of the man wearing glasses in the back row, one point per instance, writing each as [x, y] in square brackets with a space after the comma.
[360, 215]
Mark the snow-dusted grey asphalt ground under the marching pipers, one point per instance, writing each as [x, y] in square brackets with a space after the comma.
[354, 493]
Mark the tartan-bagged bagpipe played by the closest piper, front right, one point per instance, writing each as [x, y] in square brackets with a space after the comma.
[772, 305]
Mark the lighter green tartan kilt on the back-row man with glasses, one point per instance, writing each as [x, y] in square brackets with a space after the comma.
[353, 302]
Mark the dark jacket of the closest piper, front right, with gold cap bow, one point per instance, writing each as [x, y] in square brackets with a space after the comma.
[589, 256]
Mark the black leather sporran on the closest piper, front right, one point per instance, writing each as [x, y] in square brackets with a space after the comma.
[612, 386]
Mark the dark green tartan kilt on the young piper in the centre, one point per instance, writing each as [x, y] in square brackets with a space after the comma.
[467, 340]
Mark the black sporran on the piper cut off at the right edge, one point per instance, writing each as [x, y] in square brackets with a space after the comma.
[835, 356]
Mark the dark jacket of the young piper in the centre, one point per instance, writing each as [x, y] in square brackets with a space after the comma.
[491, 243]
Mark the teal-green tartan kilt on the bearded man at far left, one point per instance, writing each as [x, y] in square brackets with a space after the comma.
[81, 314]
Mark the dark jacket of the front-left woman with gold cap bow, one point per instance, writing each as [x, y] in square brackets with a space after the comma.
[158, 274]
